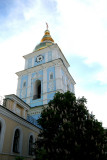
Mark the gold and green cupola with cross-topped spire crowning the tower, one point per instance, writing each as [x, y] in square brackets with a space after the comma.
[45, 41]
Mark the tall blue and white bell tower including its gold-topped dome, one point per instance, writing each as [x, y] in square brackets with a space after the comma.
[46, 72]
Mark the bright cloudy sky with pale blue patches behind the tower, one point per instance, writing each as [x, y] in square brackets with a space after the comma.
[79, 27]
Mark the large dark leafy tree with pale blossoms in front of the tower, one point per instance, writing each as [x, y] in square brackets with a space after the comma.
[69, 131]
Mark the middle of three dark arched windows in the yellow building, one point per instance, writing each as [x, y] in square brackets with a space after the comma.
[16, 141]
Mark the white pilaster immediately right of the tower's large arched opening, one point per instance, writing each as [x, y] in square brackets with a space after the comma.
[45, 86]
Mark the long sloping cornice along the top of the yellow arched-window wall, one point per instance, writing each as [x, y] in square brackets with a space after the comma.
[18, 119]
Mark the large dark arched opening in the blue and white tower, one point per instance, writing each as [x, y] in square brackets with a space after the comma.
[37, 90]
